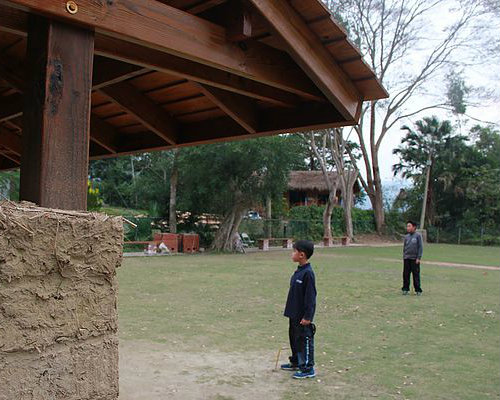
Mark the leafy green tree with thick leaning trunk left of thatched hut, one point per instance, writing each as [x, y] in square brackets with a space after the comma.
[228, 179]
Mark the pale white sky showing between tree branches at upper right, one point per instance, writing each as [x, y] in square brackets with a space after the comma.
[481, 74]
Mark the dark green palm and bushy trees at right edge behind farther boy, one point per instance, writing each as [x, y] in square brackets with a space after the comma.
[465, 174]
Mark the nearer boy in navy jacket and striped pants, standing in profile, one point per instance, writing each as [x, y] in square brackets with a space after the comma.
[300, 308]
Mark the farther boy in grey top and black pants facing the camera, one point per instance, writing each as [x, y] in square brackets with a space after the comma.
[412, 254]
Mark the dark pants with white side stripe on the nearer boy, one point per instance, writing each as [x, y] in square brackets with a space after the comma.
[301, 344]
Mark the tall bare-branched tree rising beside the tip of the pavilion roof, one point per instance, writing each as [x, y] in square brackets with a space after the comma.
[389, 33]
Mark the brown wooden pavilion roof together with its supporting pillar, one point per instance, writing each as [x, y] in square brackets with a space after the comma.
[98, 78]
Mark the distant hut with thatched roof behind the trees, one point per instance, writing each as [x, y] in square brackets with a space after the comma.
[307, 188]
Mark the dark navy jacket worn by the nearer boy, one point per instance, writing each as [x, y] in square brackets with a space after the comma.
[301, 301]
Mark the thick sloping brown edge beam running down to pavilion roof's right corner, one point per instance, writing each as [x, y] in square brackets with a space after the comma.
[308, 51]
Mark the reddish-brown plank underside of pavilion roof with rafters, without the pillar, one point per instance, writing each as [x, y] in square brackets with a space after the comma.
[141, 92]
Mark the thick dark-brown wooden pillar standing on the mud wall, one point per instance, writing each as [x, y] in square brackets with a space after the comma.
[54, 162]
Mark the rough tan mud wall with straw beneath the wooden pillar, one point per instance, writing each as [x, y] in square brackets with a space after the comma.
[58, 317]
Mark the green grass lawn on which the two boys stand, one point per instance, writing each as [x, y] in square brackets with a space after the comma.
[371, 341]
